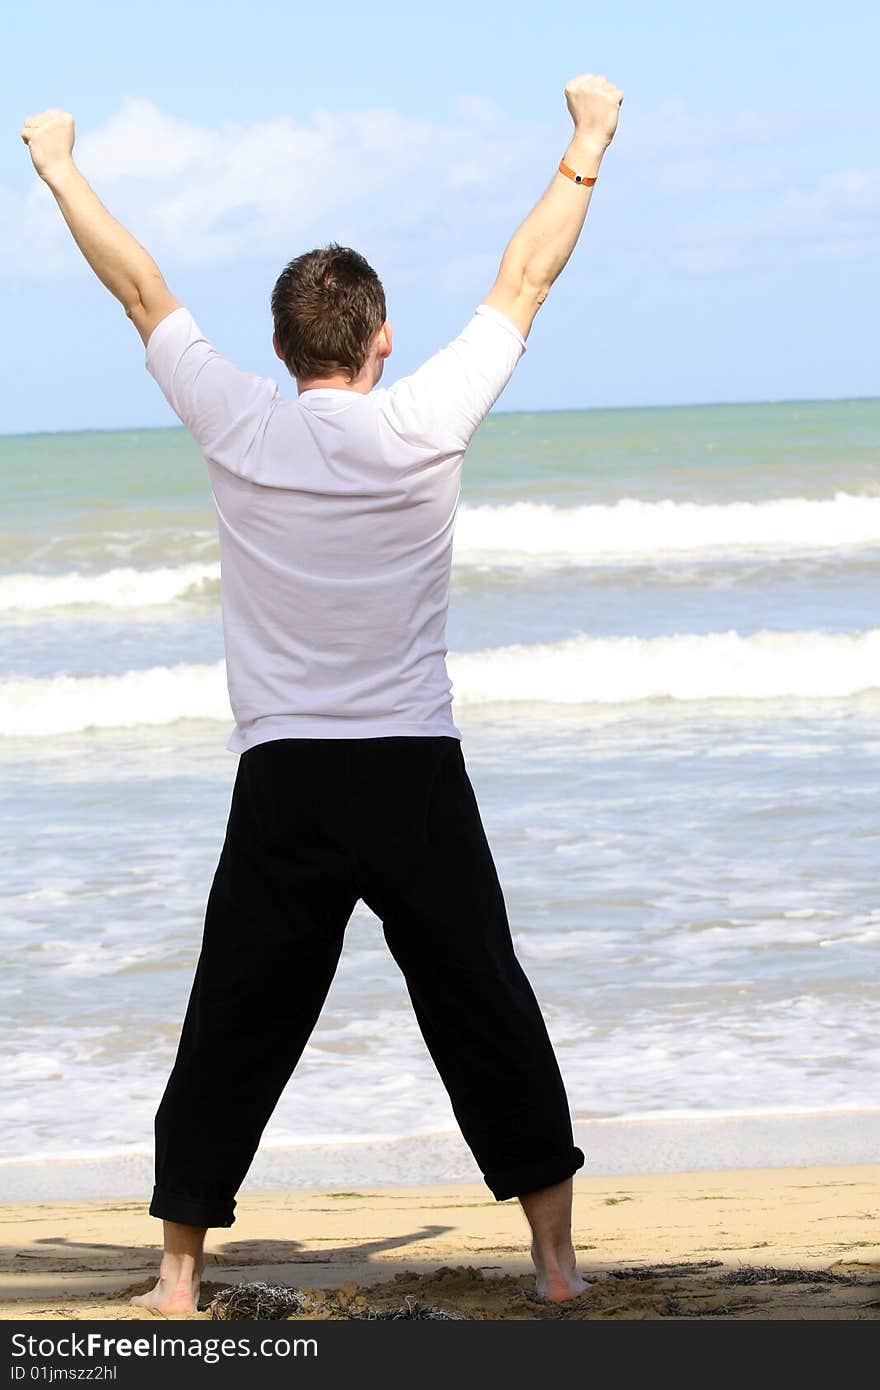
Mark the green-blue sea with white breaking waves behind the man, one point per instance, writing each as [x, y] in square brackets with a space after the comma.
[665, 653]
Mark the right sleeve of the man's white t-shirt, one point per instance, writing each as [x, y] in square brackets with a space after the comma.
[451, 394]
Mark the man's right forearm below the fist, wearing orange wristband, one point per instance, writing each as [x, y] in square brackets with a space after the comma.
[541, 247]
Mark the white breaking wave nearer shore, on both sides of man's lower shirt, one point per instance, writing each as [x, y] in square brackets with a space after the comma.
[582, 671]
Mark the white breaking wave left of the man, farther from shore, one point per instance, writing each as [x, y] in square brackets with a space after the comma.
[120, 589]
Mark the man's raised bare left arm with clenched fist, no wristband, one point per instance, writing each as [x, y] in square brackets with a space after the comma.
[117, 259]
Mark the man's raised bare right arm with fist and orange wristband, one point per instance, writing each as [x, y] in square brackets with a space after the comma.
[540, 250]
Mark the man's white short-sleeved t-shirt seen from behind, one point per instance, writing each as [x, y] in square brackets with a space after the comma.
[336, 514]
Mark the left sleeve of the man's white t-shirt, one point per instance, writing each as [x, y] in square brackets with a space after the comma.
[223, 408]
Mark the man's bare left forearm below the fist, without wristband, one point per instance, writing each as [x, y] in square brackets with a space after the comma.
[119, 261]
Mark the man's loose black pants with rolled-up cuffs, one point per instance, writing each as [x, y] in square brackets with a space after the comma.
[315, 825]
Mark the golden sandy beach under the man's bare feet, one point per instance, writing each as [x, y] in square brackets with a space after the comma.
[769, 1245]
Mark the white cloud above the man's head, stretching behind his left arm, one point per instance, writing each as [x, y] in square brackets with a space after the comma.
[199, 195]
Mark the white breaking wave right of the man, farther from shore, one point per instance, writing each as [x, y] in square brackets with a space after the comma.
[633, 529]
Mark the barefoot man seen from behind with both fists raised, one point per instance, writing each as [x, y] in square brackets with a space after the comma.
[336, 514]
